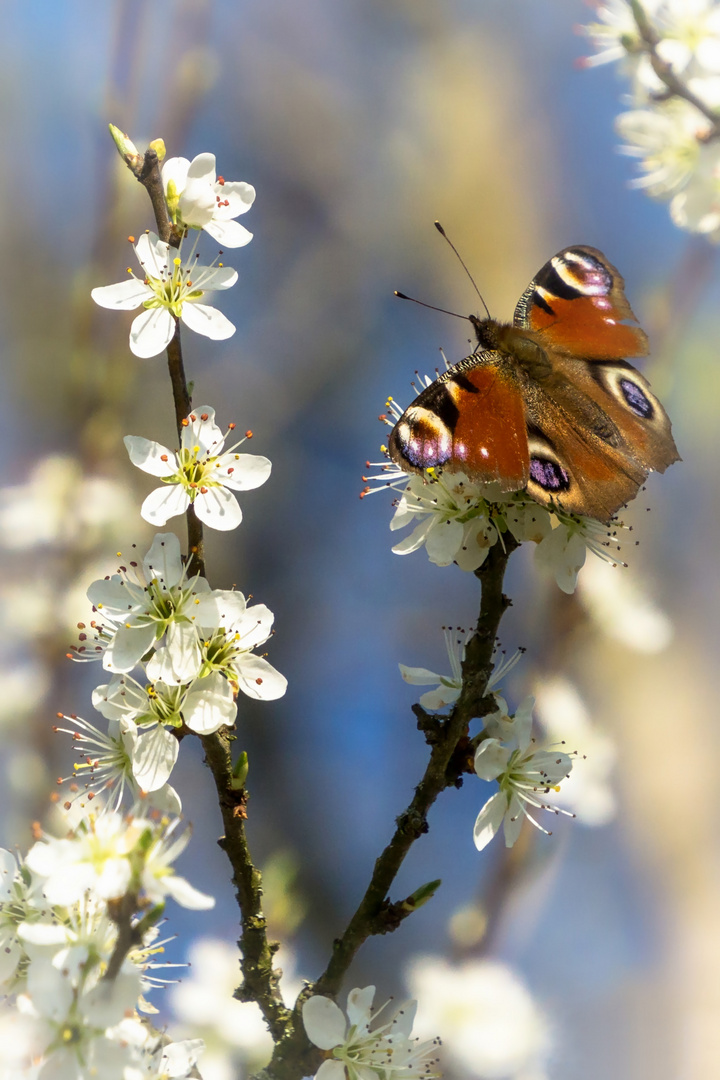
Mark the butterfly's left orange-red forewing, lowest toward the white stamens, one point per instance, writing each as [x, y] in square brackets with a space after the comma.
[471, 420]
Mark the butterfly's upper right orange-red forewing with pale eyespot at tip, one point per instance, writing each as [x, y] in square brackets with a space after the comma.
[578, 303]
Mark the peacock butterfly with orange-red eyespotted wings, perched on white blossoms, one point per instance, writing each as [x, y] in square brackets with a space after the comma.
[549, 404]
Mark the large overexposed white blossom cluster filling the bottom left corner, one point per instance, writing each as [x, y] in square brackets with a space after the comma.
[66, 1016]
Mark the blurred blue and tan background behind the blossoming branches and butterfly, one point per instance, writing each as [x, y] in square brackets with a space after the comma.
[591, 953]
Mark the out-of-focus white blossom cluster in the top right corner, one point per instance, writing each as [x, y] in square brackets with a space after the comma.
[670, 50]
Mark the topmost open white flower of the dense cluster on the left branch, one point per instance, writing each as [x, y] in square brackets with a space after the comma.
[161, 601]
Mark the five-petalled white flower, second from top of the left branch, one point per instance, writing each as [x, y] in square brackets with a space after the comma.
[171, 290]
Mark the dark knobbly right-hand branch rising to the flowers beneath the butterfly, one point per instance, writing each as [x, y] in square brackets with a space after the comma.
[294, 1058]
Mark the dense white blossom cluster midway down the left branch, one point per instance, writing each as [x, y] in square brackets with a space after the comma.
[193, 647]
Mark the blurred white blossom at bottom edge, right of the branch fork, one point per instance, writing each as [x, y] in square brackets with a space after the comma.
[486, 1017]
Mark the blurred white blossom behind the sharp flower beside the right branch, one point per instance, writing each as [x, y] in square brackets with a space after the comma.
[588, 791]
